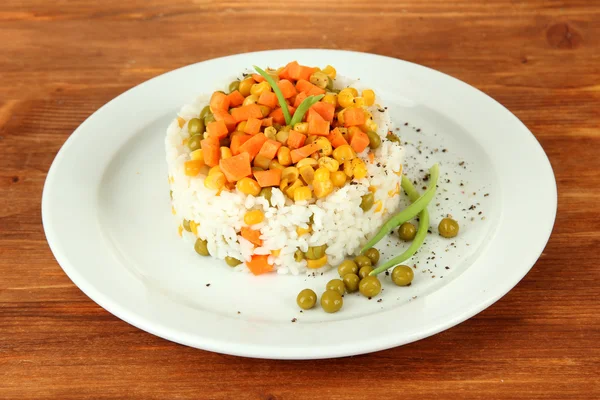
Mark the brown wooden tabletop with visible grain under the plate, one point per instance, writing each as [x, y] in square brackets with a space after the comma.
[60, 63]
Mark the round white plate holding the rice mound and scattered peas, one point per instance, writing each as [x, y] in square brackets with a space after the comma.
[107, 218]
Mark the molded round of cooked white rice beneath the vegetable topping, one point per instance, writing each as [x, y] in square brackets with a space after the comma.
[338, 220]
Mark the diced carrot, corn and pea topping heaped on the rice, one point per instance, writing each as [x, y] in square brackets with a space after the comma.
[286, 128]
